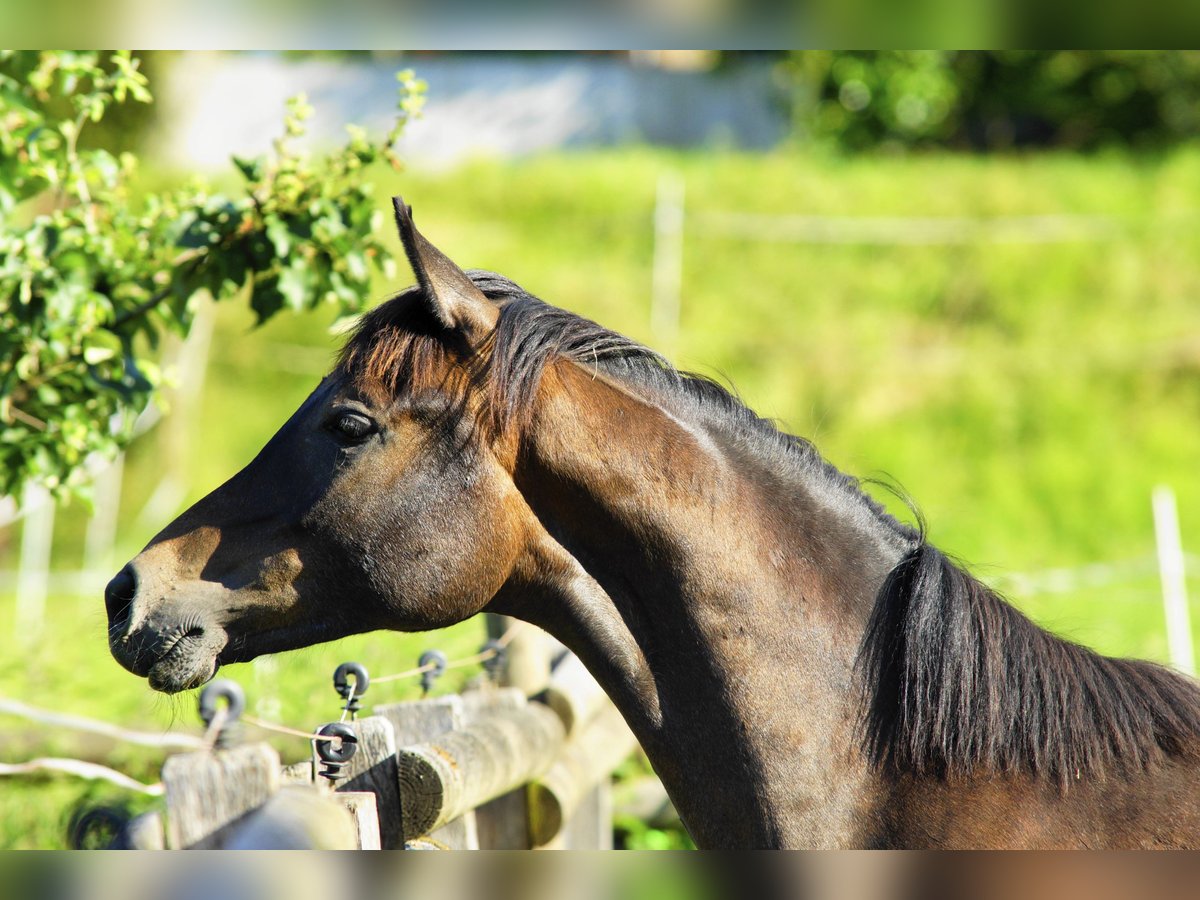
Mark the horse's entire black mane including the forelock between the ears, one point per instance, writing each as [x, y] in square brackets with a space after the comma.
[956, 680]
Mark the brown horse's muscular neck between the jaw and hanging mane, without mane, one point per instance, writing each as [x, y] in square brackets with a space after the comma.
[721, 605]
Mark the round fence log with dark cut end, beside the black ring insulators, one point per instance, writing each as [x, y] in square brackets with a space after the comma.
[442, 779]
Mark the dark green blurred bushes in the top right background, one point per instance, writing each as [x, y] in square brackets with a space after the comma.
[998, 99]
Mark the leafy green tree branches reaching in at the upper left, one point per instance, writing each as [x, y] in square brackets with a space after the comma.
[93, 277]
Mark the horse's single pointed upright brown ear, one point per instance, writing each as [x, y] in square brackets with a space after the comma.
[451, 295]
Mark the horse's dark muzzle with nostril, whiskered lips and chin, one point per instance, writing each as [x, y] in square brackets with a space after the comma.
[170, 644]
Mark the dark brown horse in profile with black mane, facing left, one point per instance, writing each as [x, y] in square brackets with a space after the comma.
[802, 669]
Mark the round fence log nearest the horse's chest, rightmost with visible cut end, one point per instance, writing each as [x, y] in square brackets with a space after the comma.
[586, 761]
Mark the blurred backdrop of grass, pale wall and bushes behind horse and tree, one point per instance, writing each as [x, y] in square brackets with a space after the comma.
[973, 274]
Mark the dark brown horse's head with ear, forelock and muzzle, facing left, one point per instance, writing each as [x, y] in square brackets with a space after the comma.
[386, 501]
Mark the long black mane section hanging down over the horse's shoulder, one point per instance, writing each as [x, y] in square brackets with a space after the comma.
[961, 682]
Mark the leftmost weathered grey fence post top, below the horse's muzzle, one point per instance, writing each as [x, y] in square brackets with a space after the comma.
[208, 791]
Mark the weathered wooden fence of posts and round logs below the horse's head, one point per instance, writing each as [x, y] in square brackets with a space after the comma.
[491, 769]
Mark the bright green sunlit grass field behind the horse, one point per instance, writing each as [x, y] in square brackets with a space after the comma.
[1028, 395]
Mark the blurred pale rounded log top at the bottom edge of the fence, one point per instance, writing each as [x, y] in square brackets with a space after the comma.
[297, 818]
